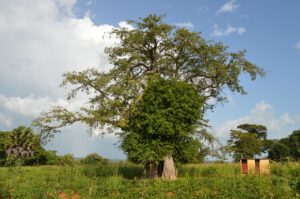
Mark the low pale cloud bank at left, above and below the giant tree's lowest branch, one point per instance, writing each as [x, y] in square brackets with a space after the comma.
[15, 111]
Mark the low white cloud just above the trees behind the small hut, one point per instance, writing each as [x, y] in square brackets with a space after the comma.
[263, 113]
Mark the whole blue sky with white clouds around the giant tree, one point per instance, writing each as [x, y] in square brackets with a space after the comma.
[42, 39]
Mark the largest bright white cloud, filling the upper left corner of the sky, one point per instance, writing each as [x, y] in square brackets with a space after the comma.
[39, 43]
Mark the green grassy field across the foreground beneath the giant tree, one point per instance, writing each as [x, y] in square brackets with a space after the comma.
[125, 181]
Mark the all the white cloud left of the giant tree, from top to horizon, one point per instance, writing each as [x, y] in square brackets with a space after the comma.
[40, 40]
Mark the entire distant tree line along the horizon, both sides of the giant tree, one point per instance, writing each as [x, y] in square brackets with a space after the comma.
[23, 147]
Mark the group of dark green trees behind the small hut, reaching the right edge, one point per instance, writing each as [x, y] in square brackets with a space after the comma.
[250, 140]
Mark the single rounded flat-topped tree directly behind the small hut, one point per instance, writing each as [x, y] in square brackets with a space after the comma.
[250, 140]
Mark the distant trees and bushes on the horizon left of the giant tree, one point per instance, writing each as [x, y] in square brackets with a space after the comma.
[23, 147]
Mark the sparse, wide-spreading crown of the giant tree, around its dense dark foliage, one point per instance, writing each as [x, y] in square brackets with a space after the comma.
[152, 49]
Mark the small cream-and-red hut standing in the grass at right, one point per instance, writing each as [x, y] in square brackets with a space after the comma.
[255, 166]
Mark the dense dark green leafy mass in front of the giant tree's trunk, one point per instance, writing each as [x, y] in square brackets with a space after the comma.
[164, 121]
